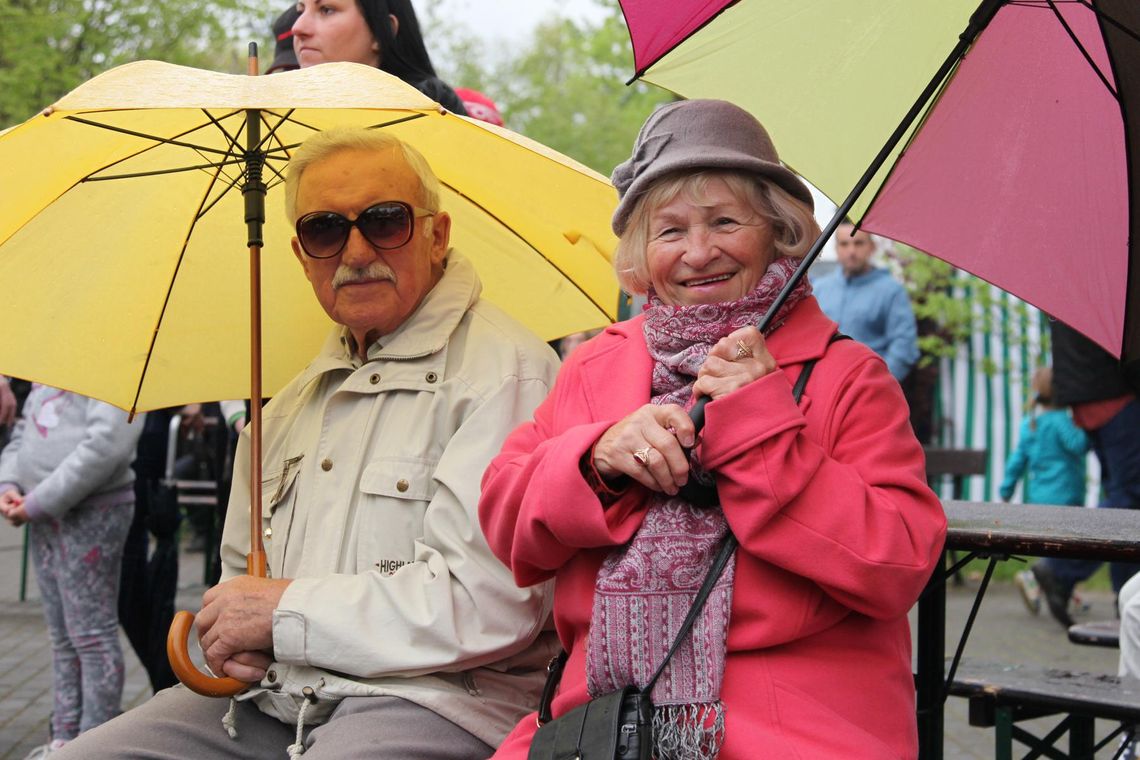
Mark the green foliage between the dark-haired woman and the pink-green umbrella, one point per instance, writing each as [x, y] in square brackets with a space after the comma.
[566, 88]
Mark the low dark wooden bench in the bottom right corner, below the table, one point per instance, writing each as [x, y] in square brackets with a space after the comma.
[1003, 696]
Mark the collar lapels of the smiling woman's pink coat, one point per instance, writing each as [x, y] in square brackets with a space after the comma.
[802, 338]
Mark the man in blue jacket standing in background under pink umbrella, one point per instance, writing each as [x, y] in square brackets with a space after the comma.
[869, 305]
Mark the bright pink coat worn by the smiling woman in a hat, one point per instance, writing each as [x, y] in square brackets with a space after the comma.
[838, 536]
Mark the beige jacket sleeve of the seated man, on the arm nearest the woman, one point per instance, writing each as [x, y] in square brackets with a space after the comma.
[453, 608]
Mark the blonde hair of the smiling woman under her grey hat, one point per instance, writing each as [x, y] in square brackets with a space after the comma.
[794, 227]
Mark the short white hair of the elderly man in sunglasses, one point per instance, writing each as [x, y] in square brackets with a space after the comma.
[325, 144]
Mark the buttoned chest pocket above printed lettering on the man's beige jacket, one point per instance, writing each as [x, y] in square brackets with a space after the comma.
[395, 494]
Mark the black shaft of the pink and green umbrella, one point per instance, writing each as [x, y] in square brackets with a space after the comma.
[979, 22]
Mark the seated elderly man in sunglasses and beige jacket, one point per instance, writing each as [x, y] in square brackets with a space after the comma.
[387, 628]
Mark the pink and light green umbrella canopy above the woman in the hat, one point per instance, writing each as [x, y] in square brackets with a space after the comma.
[1004, 138]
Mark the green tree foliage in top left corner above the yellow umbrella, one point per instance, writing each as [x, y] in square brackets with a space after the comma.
[50, 47]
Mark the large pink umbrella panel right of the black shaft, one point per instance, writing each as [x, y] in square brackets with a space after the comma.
[1021, 175]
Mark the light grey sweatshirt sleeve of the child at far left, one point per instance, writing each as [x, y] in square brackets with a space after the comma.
[109, 444]
